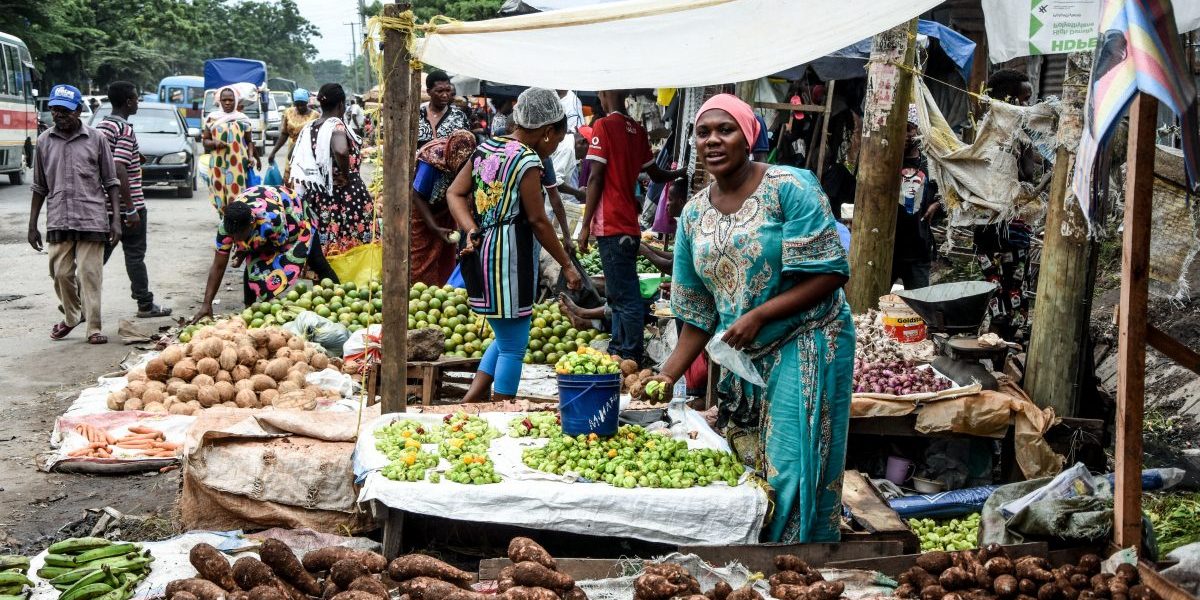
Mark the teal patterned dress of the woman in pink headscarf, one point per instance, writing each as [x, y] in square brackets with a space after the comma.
[793, 433]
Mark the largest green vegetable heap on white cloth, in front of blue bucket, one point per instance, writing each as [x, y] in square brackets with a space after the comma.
[635, 458]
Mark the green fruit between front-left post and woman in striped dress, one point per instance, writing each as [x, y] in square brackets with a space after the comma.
[446, 308]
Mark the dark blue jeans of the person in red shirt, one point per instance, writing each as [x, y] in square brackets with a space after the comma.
[619, 255]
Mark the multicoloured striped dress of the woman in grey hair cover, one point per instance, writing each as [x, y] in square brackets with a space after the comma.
[502, 275]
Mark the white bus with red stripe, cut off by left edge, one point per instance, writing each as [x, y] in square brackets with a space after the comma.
[19, 112]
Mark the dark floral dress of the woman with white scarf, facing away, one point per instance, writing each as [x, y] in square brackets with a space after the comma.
[345, 213]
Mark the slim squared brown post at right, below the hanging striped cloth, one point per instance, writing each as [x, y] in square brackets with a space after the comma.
[1132, 321]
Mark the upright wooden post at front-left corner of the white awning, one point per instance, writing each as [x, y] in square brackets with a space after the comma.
[399, 129]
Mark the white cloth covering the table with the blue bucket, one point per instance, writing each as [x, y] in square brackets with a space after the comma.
[713, 515]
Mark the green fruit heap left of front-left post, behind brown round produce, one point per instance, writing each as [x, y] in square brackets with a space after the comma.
[353, 307]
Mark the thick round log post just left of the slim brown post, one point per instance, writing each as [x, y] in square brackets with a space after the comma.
[1061, 315]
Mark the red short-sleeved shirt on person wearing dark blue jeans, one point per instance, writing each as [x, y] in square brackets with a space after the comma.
[622, 145]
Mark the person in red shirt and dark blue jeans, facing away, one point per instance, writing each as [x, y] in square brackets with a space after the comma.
[620, 152]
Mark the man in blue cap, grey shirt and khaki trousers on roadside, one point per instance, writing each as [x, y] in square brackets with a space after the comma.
[76, 179]
